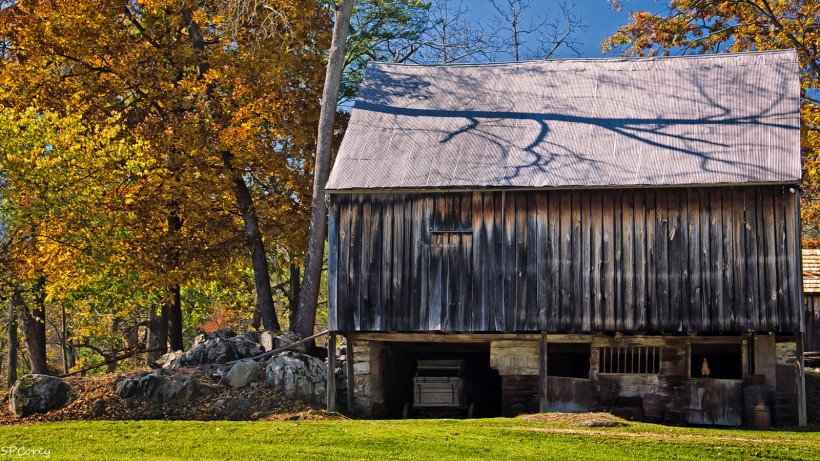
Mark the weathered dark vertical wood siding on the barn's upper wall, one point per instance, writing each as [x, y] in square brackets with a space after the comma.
[641, 260]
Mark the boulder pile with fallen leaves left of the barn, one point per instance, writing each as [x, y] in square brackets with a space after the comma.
[215, 379]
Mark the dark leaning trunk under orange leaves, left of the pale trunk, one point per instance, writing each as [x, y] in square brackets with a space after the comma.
[259, 260]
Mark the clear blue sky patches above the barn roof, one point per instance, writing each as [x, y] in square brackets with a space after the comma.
[598, 15]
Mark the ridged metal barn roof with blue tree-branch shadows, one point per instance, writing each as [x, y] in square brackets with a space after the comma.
[661, 121]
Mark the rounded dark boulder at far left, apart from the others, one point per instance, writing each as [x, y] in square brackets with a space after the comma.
[38, 394]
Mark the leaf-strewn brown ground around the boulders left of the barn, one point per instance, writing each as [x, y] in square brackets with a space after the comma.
[97, 399]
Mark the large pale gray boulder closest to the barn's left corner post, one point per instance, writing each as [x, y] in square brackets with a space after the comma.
[298, 375]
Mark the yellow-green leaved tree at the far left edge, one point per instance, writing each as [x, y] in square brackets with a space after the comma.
[49, 168]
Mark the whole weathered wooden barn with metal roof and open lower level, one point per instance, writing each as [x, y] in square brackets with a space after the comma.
[573, 235]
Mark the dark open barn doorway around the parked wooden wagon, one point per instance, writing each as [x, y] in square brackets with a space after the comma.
[400, 363]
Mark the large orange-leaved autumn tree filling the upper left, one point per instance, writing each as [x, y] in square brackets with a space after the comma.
[221, 105]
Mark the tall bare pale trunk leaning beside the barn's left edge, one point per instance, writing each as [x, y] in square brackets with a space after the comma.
[306, 315]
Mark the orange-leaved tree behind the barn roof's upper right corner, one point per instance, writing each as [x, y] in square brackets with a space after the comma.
[694, 26]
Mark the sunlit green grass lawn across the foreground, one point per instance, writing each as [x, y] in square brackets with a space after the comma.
[493, 439]
